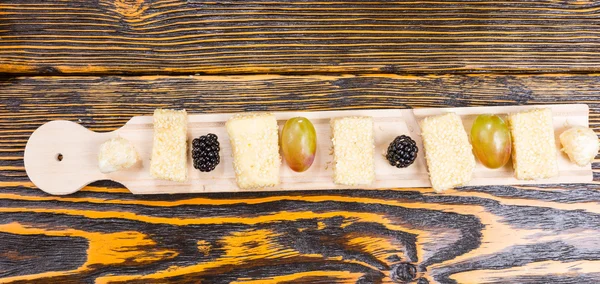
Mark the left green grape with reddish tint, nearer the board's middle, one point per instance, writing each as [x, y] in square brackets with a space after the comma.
[299, 143]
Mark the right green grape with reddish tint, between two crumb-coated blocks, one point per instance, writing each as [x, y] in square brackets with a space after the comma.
[491, 141]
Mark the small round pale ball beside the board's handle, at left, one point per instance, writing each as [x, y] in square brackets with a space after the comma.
[116, 154]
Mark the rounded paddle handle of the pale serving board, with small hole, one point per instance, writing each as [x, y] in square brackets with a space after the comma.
[61, 157]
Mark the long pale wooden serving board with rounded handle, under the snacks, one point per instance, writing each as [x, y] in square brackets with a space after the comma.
[78, 148]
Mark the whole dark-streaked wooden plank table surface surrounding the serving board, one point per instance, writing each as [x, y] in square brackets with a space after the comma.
[101, 62]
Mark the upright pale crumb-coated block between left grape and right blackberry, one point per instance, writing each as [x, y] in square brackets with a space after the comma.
[353, 146]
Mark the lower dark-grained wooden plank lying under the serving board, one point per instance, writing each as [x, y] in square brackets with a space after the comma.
[520, 234]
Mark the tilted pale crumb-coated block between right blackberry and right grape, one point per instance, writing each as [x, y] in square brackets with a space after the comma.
[448, 152]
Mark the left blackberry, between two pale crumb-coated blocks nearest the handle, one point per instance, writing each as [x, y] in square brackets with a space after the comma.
[205, 152]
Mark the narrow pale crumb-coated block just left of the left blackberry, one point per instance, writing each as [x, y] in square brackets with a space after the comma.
[169, 151]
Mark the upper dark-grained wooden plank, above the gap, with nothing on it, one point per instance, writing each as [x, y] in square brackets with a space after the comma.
[235, 37]
